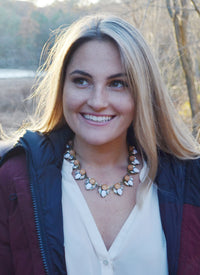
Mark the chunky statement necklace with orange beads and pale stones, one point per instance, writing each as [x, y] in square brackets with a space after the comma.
[91, 183]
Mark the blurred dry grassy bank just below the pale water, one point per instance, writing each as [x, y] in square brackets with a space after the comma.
[14, 108]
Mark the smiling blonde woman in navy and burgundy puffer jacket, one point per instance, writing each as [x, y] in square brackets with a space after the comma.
[107, 181]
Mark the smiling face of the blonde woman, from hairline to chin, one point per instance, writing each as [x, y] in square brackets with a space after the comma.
[97, 103]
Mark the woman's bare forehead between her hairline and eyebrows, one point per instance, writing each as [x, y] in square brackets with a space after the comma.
[95, 54]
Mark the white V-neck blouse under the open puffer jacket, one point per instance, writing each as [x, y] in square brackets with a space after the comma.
[139, 248]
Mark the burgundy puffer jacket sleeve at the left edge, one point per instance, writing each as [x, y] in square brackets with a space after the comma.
[19, 248]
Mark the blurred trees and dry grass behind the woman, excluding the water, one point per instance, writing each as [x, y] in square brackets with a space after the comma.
[171, 27]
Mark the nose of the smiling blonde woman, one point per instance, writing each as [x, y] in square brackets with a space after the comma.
[98, 98]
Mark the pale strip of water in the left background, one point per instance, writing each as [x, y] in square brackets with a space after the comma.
[15, 73]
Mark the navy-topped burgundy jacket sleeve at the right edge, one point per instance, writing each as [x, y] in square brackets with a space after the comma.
[189, 258]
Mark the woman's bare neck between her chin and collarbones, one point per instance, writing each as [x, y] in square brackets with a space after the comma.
[108, 154]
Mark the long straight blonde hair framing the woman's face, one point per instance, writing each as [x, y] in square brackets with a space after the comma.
[155, 126]
